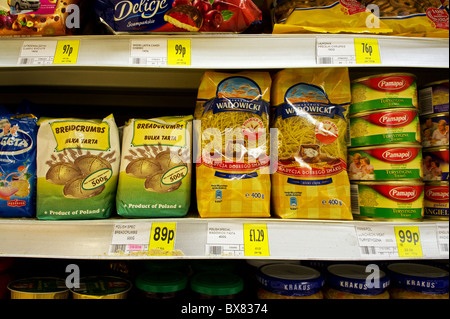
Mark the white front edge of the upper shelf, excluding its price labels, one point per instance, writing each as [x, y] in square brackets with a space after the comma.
[239, 51]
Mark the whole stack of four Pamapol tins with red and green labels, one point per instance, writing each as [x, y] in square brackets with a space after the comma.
[385, 151]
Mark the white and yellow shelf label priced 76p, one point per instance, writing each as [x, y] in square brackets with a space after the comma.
[347, 51]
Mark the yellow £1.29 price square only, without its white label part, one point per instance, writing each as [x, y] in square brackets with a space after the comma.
[256, 240]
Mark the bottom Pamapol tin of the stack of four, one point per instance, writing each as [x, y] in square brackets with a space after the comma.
[393, 200]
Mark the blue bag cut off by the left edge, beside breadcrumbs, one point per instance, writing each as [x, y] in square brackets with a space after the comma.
[17, 165]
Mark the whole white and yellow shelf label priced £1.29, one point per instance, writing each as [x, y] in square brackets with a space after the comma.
[237, 240]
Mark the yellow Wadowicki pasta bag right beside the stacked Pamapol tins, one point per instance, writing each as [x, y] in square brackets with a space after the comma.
[311, 107]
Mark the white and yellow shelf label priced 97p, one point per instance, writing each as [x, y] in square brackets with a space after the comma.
[47, 52]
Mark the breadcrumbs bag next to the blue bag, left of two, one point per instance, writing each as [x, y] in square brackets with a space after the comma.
[78, 163]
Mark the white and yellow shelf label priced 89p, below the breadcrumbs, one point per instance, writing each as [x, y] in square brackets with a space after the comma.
[142, 237]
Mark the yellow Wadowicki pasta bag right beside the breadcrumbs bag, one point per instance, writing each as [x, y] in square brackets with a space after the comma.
[232, 161]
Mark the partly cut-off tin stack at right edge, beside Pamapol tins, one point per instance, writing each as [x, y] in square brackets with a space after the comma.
[434, 121]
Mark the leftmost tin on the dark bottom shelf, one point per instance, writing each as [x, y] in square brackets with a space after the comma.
[39, 288]
